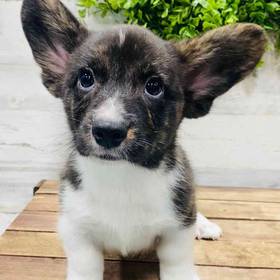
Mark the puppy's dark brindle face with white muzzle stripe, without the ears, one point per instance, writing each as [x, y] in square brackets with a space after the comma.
[122, 95]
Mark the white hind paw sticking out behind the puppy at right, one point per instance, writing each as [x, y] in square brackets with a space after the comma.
[206, 229]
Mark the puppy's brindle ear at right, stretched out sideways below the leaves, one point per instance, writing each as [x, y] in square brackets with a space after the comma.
[214, 62]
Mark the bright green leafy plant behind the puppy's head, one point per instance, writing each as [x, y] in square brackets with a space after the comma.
[178, 19]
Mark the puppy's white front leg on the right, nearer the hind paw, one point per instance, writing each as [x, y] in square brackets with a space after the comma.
[175, 254]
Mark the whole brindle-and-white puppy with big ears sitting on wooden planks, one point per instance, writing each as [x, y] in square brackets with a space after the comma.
[128, 185]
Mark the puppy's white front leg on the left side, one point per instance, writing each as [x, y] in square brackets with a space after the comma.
[85, 260]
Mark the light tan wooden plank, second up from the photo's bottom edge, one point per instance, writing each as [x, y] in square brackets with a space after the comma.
[221, 253]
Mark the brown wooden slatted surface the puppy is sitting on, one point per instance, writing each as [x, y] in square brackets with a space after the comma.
[249, 248]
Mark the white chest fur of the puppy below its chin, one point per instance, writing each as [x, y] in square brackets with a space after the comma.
[124, 207]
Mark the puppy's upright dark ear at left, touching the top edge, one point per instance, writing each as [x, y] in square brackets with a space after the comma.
[53, 33]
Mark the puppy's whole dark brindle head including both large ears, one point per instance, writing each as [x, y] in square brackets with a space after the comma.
[125, 90]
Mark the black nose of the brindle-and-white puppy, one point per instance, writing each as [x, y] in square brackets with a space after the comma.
[109, 137]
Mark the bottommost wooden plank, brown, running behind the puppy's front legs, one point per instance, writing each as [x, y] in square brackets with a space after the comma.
[28, 268]
